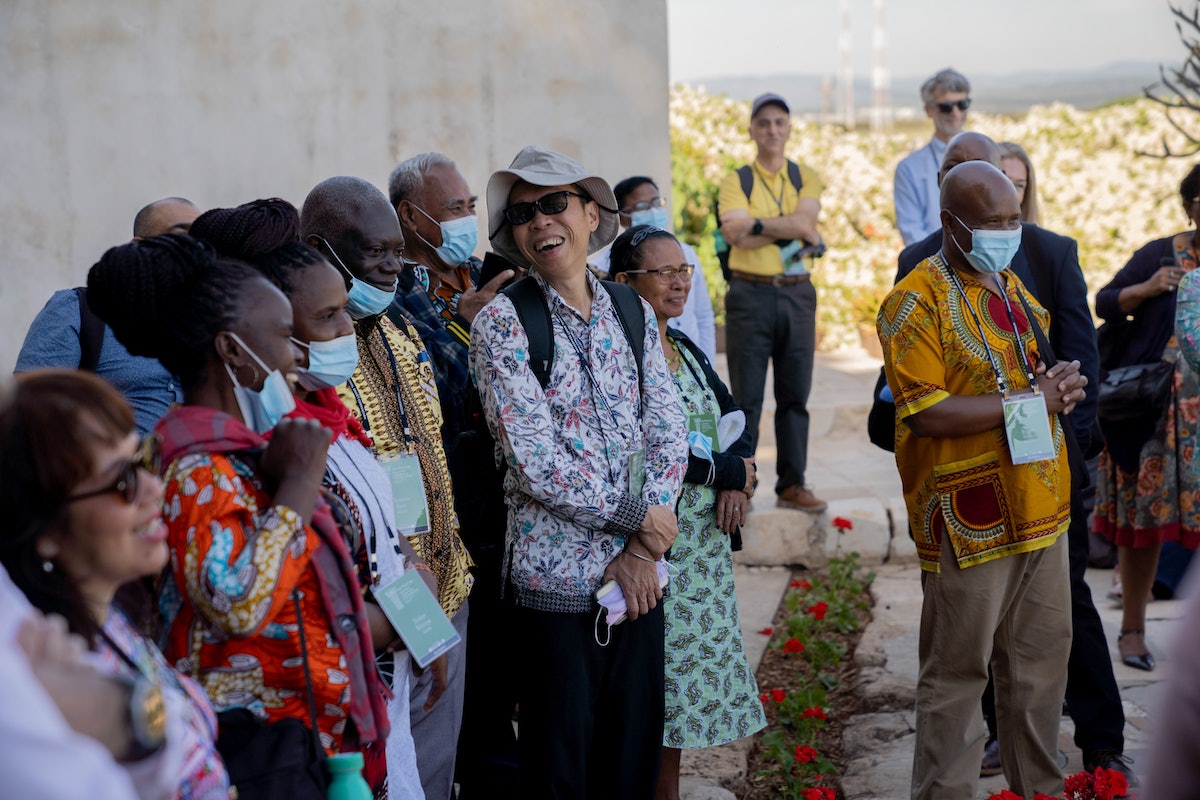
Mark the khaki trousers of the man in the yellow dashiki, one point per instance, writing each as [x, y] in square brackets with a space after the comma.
[1016, 613]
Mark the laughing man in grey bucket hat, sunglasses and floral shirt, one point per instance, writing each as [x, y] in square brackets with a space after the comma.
[596, 462]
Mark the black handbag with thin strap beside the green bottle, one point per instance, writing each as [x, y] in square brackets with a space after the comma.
[275, 760]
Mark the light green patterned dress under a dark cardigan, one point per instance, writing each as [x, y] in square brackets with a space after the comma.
[711, 693]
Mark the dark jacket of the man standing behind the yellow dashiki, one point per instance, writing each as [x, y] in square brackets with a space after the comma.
[1048, 266]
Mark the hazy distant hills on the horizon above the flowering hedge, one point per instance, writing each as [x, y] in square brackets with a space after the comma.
[992, 94]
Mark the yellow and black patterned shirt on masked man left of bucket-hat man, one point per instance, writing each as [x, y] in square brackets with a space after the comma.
[394, 383]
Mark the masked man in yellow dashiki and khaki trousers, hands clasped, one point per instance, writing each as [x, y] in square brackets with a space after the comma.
[957, 340]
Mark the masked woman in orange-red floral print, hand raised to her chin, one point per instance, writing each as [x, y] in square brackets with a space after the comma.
[263, 605]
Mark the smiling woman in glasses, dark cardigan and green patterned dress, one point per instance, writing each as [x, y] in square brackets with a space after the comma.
[711, 693]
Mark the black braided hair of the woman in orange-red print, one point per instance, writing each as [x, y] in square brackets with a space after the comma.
[167, 298]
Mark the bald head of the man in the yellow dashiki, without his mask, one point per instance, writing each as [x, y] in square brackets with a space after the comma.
[976, 196]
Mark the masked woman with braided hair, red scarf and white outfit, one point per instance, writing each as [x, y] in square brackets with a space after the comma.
[265, 233]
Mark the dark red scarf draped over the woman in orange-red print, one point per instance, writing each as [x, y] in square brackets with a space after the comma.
[188, 430]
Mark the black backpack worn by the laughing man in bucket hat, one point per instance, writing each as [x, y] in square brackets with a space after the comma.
[483, 519]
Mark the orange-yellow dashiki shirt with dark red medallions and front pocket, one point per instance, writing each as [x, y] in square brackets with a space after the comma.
[968, 486]
